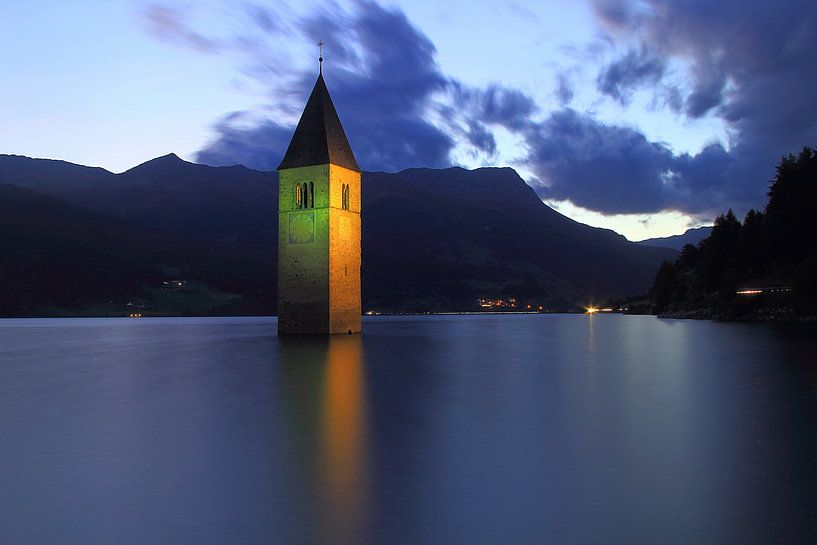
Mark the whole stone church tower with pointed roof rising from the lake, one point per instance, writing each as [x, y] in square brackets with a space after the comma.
[319, 225]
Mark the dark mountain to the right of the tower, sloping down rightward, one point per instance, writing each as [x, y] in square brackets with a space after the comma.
[455, 234]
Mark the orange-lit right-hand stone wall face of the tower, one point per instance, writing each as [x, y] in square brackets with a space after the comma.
[344, 252]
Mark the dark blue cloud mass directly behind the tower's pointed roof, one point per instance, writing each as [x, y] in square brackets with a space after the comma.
[382, 74]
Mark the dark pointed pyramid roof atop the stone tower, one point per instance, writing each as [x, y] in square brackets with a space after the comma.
[319, 138]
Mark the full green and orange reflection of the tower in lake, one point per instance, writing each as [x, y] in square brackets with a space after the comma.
[324, 382]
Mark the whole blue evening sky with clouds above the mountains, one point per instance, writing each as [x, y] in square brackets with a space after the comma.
[643, 116]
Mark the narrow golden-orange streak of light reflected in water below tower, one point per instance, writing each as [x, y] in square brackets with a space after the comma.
[343, 463]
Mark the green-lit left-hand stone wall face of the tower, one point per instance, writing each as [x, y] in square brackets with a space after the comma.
[303, 261]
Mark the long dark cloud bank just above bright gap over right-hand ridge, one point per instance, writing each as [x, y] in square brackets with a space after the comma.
[616, 170]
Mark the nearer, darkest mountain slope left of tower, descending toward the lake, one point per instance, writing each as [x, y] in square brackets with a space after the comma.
[58, 255]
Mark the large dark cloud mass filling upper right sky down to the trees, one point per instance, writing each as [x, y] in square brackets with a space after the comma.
[751, 65]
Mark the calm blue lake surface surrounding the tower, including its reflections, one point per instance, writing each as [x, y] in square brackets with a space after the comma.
[426, 430]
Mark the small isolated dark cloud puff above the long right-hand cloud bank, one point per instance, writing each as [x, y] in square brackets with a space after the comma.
[634, 69]
